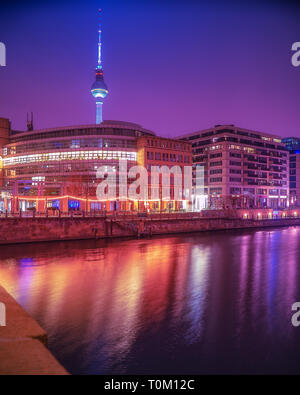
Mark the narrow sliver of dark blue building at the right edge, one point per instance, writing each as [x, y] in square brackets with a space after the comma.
[293, 145]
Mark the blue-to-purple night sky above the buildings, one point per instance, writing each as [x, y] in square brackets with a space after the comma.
[172, 67]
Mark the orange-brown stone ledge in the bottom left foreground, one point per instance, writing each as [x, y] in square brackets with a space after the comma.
[23, 343]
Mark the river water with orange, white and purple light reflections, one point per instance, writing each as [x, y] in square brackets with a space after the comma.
[209, 303]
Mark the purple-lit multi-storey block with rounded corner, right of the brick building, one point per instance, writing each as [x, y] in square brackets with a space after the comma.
[243, 168]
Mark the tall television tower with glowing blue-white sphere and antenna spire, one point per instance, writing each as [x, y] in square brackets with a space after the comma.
[99, 88]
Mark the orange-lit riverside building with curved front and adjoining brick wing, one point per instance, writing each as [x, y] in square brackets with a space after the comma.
[56, 168]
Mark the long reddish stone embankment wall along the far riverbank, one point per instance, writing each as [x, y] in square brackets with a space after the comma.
[34, 229]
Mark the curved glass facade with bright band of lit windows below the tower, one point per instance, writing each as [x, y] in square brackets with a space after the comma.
[64, 161]
